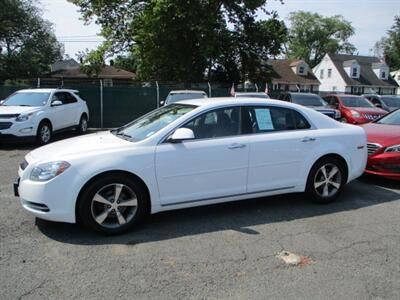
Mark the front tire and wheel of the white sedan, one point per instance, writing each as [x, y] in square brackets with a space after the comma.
[112, 204]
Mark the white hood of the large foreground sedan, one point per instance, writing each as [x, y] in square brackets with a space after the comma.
[100, 142]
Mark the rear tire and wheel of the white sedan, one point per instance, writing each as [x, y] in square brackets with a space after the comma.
[326, 180]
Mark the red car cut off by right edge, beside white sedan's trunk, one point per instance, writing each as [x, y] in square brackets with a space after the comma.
[384, 146]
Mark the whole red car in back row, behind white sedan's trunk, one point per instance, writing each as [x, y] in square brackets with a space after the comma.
[355, 109]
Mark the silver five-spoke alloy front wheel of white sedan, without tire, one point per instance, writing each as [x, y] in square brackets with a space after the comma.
[114, 205]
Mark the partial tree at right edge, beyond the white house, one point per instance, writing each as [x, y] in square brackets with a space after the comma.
[390, 45]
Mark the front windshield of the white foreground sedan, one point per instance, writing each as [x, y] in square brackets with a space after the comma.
[151, 123]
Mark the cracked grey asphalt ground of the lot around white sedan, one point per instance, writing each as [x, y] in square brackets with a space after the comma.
[350, 249]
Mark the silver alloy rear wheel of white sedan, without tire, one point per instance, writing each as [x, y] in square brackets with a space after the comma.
[327, 180]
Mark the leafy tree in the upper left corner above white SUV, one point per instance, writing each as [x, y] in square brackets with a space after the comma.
[28, 45]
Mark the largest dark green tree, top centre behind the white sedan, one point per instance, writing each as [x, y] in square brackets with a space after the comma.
[188, 40]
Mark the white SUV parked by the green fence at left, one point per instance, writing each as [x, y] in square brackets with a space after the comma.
[38, 113]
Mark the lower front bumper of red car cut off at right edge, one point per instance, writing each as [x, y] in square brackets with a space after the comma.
[385, 165]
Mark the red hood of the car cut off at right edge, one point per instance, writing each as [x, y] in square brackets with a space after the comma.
[385, 135]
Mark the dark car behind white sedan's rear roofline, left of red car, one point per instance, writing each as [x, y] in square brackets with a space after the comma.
[312, 101]
